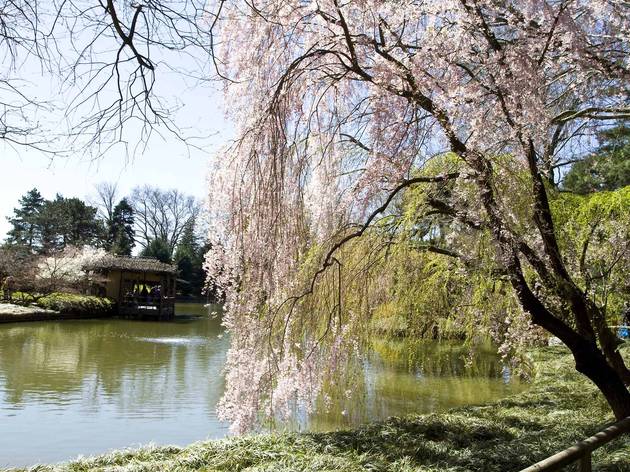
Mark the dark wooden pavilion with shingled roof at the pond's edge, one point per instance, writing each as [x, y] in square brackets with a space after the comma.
[142, 287]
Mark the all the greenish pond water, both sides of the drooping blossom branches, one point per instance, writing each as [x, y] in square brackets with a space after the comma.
[84, 387]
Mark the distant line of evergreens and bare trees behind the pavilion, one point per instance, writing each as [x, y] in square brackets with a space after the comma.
[162, 223]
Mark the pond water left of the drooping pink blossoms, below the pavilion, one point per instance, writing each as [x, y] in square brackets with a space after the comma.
[84, 387]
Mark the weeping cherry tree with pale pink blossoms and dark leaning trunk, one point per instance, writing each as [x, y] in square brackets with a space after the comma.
[340, 106]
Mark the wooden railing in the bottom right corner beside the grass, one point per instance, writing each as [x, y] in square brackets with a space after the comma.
[581, 451]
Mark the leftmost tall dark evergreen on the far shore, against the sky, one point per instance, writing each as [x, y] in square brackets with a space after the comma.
[26, 229]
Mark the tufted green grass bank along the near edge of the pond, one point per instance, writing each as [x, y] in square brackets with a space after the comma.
[559, 409]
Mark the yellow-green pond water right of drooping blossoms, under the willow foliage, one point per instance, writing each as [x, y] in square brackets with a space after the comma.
[403, 376]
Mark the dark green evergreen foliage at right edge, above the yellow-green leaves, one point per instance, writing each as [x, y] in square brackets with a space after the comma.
[608, 168]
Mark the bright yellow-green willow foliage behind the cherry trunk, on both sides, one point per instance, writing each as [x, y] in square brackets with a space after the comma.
[414, 292]
